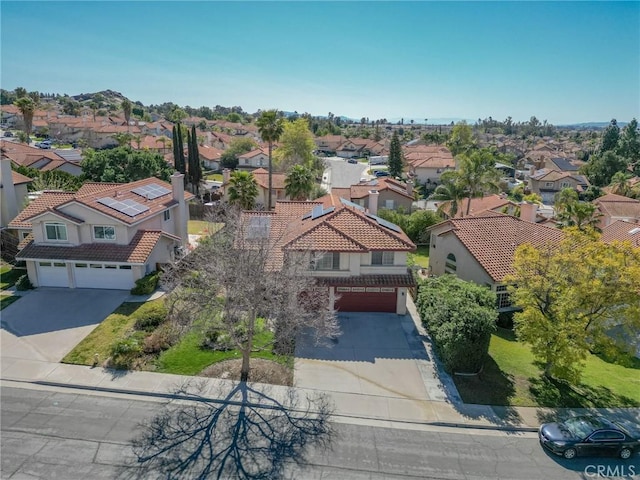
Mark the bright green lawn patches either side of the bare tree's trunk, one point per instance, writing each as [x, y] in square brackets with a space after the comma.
[188, 358]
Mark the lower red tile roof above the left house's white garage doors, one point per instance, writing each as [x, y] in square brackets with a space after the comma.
[136, 252]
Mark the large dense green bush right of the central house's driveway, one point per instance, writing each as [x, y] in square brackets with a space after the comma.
[460, 317]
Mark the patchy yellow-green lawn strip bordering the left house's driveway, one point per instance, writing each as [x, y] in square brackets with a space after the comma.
[115, 327]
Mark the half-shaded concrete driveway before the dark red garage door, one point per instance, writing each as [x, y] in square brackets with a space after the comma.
[377, 354]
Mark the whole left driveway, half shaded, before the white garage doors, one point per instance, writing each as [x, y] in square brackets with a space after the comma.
[48, 322]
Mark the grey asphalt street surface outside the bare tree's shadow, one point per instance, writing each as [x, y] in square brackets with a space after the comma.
[68, 435]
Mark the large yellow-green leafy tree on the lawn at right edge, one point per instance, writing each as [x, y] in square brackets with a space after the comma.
[571, 294]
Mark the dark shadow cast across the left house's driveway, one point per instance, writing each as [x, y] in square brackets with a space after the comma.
[53, 309]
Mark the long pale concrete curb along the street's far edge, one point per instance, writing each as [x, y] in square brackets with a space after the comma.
[196, 398]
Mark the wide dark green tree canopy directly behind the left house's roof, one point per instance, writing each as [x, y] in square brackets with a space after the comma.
[122, 165]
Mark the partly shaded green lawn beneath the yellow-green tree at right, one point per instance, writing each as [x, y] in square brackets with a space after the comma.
[512, 377]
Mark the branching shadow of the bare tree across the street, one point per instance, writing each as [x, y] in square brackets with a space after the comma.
[245, 433]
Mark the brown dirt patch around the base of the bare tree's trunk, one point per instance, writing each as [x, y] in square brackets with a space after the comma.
[262, 371]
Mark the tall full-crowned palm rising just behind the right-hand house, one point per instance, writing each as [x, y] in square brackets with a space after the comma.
[478, 174]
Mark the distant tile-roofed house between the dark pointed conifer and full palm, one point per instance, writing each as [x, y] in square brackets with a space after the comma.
[427, 163]
